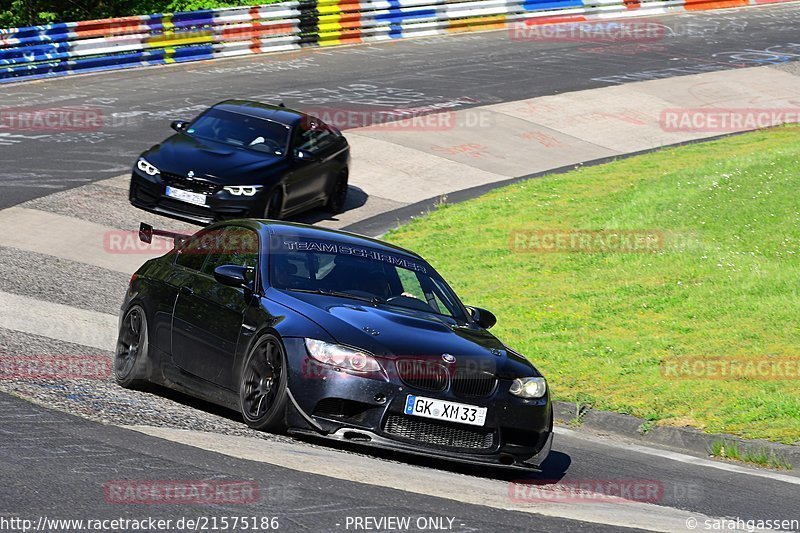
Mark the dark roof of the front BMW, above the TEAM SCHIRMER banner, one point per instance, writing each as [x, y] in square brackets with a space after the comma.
[305, 231]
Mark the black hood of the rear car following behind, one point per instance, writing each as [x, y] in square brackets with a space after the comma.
[222, 163]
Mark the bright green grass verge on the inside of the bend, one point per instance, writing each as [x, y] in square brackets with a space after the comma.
[604, 326]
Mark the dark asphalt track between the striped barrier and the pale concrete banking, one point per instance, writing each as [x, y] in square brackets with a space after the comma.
[458, 71]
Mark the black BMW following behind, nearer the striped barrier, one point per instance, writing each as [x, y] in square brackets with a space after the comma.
[243, 159]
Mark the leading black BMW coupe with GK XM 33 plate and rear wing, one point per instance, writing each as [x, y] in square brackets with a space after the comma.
[321, 332]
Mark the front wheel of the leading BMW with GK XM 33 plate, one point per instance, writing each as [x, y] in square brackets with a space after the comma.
[263, 396]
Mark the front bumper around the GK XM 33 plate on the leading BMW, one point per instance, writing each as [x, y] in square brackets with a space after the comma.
[346, 407]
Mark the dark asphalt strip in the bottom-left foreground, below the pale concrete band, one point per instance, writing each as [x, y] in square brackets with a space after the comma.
[60, 467]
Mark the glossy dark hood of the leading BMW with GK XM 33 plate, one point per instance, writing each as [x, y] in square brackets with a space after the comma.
[394, 332]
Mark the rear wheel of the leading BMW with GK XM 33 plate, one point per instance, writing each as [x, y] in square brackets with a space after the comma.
[131, 358]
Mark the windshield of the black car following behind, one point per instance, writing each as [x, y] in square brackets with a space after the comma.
[252, 133]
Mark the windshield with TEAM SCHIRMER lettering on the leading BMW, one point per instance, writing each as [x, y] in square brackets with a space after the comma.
[361, 273]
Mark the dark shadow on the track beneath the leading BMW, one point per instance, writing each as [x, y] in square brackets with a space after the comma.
[553, 469]
